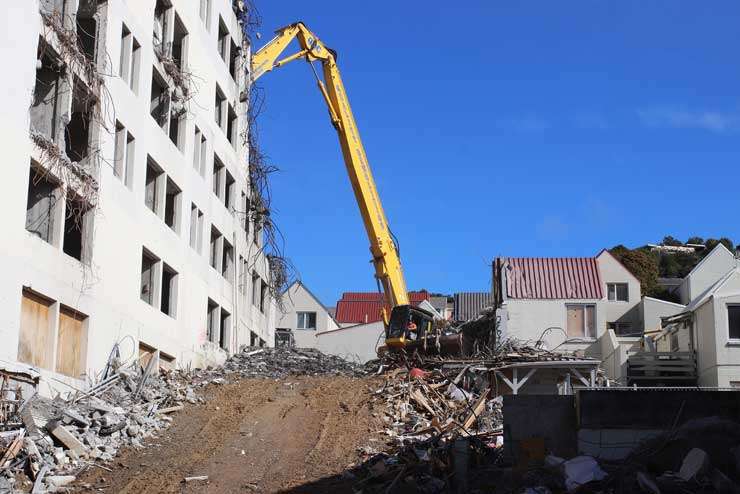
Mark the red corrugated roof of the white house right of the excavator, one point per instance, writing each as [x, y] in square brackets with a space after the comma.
[553, 278]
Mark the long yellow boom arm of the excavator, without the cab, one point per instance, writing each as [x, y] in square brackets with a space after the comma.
[384, 250]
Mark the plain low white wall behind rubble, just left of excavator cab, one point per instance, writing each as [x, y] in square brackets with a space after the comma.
[355, 343]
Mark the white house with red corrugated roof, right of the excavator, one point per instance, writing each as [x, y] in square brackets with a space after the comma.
[566, 303]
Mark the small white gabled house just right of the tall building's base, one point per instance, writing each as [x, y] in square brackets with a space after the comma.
[304, 316]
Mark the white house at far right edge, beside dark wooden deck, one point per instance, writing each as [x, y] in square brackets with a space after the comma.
[701, 342]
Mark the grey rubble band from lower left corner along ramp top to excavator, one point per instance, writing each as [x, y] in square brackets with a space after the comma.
[46, 443]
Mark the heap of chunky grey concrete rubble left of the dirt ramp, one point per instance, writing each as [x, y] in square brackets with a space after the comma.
[51, 441]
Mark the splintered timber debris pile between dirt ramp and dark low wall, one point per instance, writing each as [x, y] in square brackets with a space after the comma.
[437, 422]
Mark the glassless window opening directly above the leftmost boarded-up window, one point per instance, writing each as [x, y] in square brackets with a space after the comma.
[42, 204]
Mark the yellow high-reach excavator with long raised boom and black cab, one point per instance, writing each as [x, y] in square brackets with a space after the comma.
[406, 326]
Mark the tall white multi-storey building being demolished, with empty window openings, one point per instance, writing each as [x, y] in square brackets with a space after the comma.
[122, 184]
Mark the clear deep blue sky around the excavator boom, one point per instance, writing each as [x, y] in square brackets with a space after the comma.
[506, 128]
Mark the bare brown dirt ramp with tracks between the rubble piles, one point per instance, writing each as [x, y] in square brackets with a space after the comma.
[293, 435]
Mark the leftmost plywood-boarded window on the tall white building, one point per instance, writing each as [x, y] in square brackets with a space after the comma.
[36, 341]
